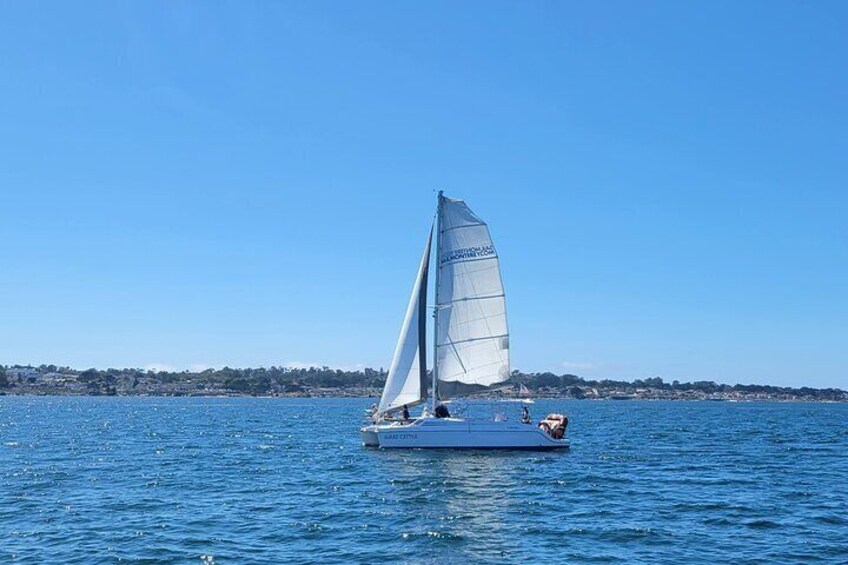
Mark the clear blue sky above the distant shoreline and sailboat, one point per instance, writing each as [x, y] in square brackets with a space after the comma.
[192, 184]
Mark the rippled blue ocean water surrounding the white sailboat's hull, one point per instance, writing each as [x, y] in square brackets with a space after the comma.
[265, 480]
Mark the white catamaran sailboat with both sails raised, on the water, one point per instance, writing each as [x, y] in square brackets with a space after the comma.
[470, 351]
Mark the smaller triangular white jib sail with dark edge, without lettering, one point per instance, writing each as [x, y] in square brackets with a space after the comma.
[406, 383]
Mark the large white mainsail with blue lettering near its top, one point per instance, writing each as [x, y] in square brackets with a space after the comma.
[472, 339]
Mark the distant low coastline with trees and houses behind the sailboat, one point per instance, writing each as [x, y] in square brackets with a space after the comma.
[327, 382]
